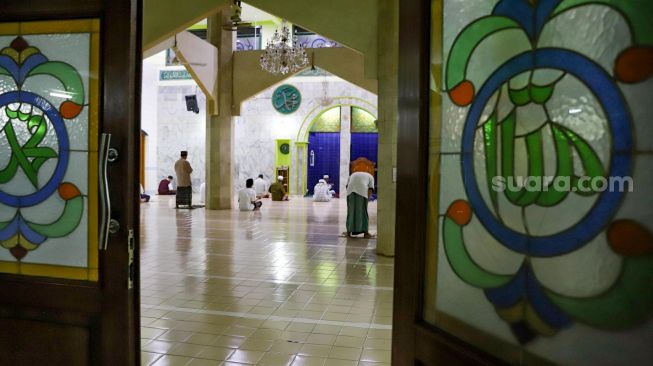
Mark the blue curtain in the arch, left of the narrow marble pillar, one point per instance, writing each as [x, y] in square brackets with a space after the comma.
[323, 159]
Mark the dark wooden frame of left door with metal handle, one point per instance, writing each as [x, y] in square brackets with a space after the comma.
[120, 82]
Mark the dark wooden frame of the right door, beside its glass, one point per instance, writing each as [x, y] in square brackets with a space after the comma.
[413, 340]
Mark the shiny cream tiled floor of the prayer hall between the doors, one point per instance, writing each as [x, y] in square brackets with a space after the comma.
[275, 287]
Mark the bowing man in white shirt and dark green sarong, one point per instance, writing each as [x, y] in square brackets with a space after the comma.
[359, 188]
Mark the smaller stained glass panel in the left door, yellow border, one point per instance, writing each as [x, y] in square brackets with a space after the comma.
[48, 148]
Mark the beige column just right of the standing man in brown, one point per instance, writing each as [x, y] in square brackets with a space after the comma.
[219, 120]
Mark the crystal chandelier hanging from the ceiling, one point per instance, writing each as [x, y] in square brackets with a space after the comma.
[283, 54]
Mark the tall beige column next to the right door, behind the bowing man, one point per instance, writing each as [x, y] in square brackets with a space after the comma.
[388, 70]
